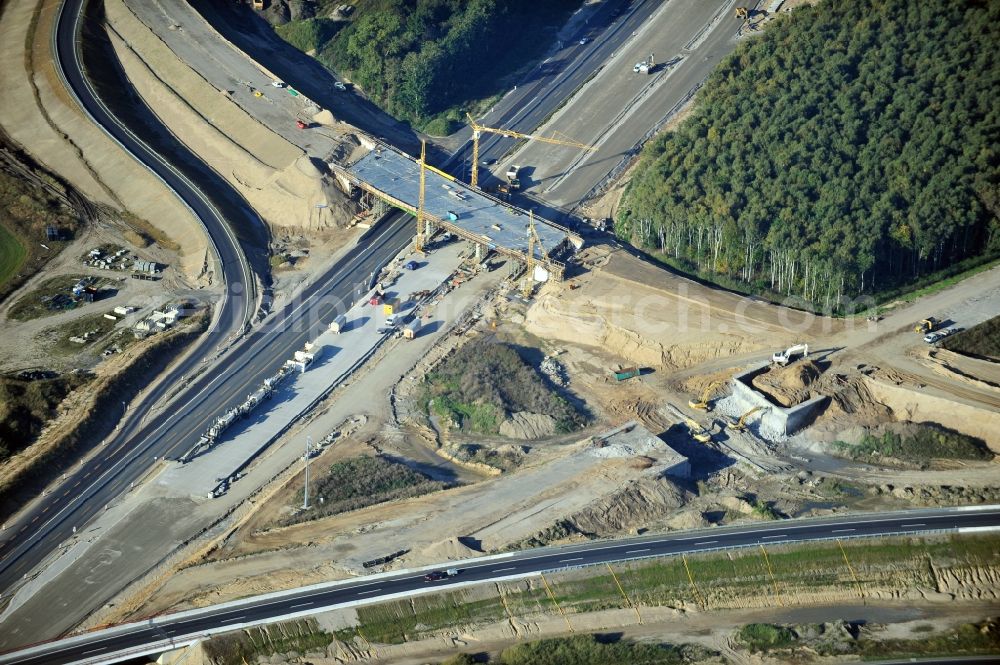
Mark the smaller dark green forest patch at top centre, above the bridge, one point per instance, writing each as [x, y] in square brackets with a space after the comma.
[420, 59]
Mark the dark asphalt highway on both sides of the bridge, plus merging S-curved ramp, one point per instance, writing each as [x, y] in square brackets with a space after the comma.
[26, 541]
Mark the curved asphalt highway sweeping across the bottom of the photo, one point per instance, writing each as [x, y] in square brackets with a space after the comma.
[170, 631]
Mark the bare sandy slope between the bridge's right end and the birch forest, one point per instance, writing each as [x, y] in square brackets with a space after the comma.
[653, 318]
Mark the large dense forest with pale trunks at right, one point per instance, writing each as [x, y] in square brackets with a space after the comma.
[851, 150]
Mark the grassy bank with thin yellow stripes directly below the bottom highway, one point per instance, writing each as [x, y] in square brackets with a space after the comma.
[723, 580]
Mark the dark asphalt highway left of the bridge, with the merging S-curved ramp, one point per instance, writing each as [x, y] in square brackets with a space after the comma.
[25, 541]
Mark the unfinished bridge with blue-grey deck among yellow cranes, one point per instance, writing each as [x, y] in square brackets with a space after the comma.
[453, 206]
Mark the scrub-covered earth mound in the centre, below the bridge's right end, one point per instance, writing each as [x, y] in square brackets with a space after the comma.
[483, 384]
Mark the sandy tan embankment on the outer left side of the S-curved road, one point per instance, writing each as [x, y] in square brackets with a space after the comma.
[38, 115]
